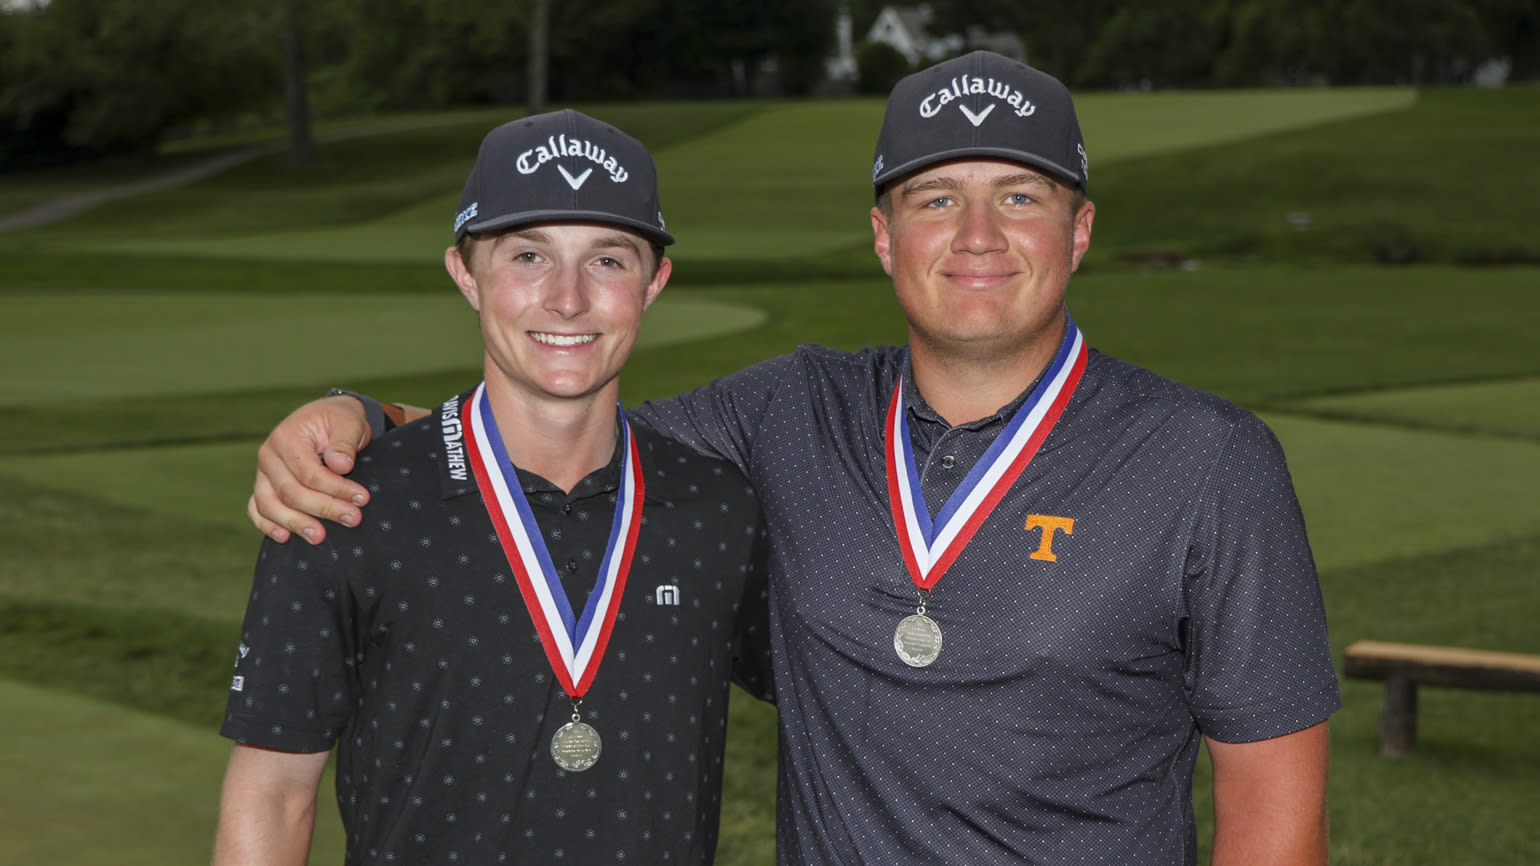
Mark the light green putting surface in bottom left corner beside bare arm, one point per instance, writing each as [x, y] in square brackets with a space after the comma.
[92, 784]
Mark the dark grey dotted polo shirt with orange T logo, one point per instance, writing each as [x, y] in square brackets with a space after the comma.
[1145, 583]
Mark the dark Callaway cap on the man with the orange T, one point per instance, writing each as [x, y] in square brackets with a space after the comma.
[980, 106]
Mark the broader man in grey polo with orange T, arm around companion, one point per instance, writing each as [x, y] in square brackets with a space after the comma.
[1016, 582]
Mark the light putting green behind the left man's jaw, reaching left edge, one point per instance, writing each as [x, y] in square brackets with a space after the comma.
[104, 344]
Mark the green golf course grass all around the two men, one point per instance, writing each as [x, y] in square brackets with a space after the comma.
[147, 347]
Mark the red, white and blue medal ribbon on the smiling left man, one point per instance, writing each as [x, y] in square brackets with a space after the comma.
[574, 645]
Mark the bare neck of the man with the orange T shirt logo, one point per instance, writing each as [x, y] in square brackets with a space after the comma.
[965, 386]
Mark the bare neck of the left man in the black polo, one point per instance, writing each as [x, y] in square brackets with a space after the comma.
[561, 441]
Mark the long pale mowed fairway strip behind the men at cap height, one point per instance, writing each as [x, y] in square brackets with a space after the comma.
[783, 181]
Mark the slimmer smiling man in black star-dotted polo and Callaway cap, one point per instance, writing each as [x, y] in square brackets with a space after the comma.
[524, 656]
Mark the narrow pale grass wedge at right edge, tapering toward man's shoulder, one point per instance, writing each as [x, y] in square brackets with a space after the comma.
[1505, 408]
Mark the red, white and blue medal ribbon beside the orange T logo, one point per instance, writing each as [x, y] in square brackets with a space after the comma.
[931, 548]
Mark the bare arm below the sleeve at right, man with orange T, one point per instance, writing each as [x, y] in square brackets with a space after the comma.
[1270, 801]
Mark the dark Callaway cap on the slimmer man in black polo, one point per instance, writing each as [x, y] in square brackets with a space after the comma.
[561, 167]
